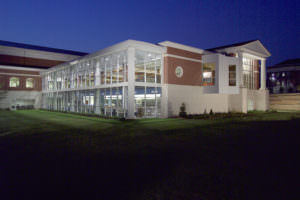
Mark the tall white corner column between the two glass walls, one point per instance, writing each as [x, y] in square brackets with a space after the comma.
[131, 79]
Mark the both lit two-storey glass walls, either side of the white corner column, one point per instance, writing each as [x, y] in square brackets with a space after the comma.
[99, 85]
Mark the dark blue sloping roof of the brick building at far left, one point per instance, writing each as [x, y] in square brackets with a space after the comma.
[41, 48]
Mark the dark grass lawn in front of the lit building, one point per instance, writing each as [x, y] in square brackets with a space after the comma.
[62, 156]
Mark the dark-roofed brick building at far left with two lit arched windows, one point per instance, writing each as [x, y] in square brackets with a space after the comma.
[20, 68]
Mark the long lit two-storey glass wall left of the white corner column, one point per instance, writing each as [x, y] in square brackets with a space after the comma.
[88, 86]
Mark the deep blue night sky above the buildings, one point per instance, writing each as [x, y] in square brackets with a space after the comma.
[92, 25]
